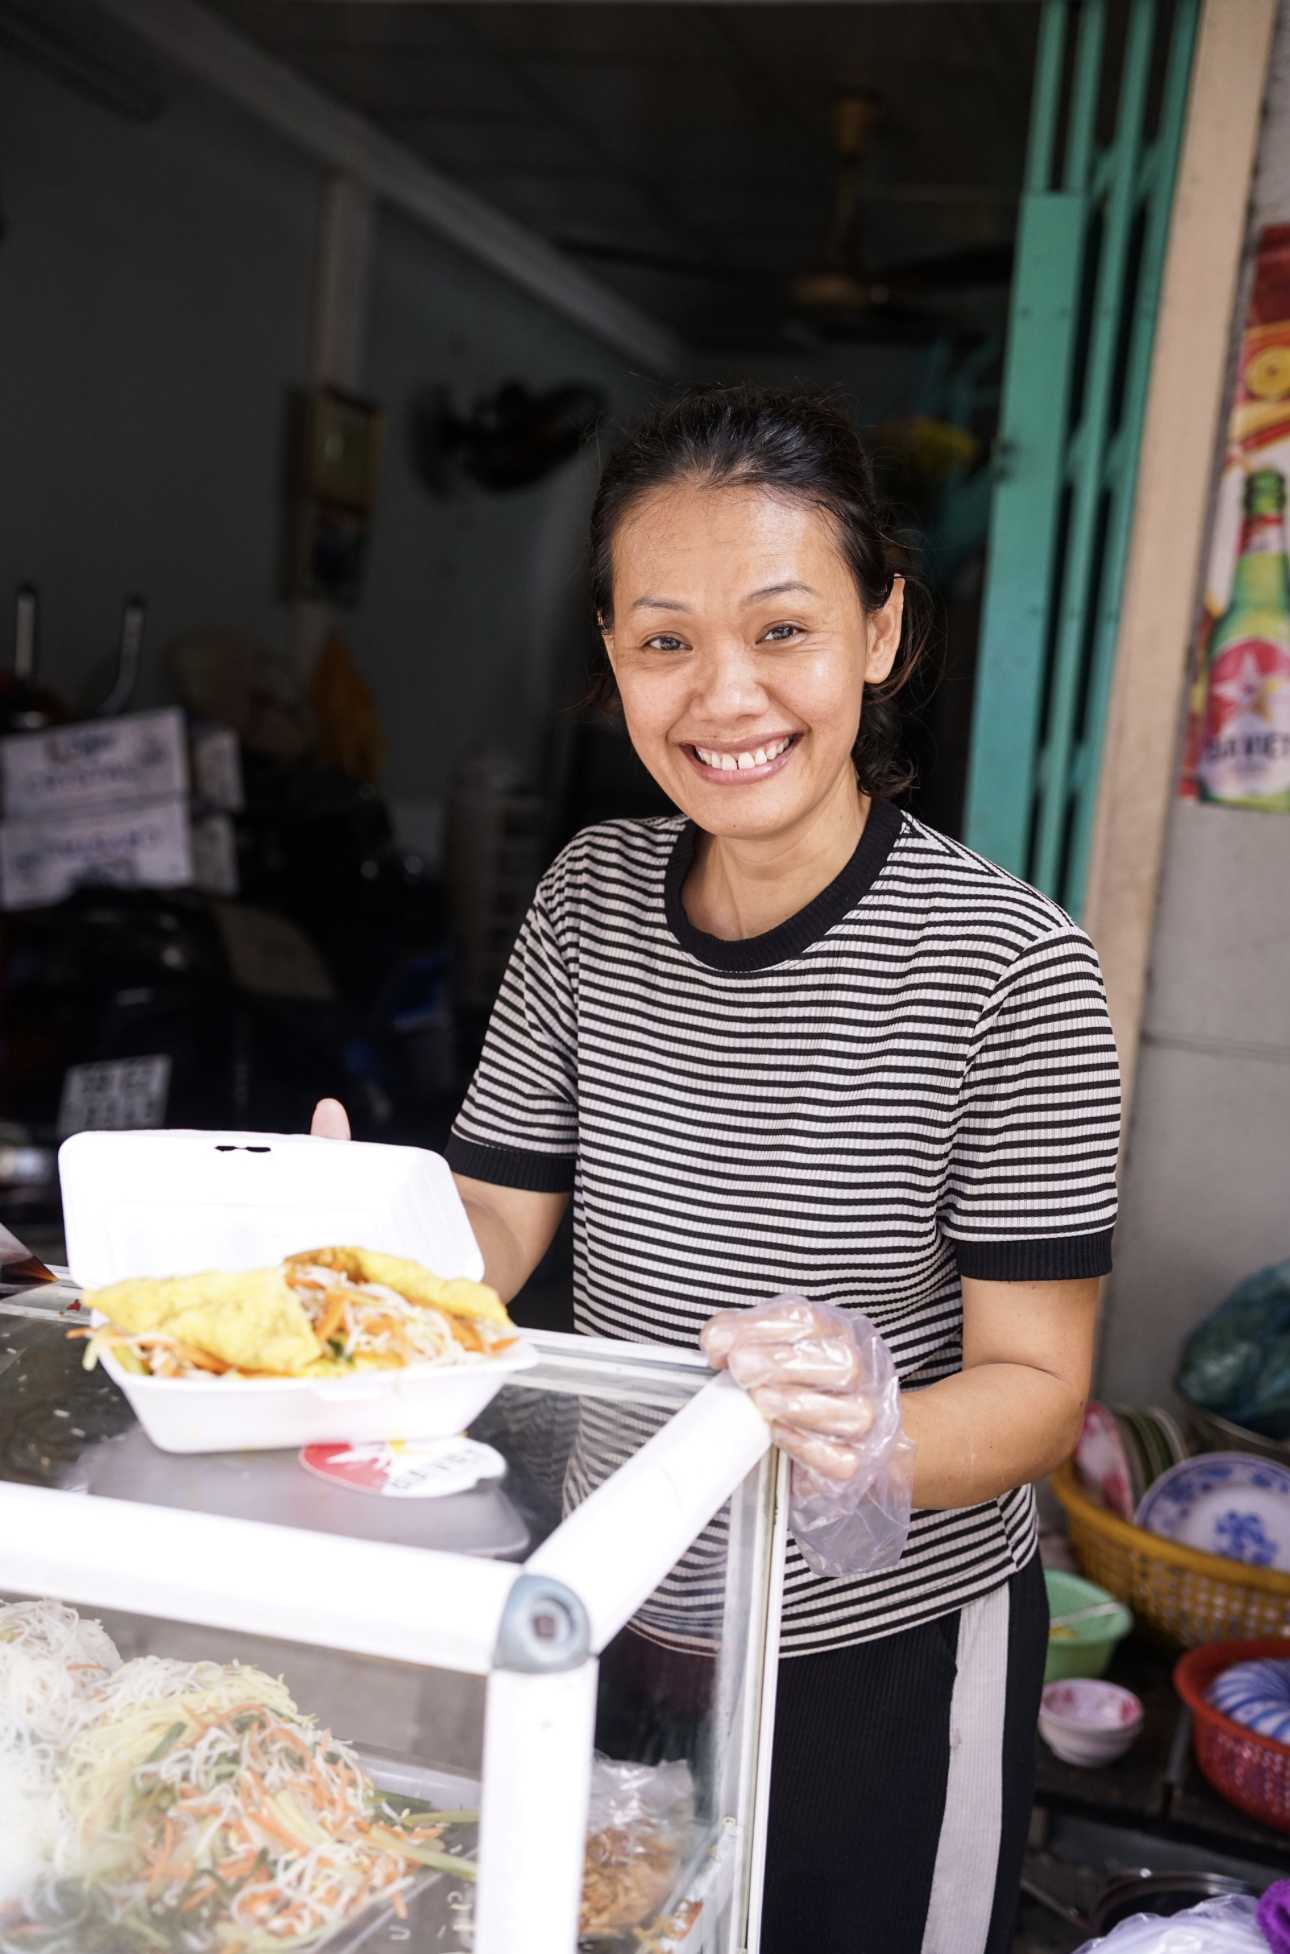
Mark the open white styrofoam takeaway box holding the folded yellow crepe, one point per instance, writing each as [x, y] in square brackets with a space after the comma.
[179, 1203]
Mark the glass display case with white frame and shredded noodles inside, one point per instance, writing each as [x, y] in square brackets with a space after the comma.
[546, 1695]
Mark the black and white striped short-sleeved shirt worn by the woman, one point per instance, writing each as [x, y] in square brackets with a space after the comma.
[910, 1082]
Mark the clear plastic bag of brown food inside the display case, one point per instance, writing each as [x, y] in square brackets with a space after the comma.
[640, 1836]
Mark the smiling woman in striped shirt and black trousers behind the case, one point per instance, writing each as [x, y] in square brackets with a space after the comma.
[796, 1042]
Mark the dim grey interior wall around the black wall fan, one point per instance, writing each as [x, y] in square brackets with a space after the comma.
[155, 314]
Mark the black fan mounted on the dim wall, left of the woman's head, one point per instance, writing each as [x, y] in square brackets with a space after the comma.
[509, 441]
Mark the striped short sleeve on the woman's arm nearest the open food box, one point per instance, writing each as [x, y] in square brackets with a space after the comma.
[521, 1125]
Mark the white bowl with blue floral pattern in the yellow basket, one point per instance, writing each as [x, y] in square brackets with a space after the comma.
[1228, 1504]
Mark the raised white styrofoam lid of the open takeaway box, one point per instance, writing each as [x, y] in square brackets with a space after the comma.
[179, 1203]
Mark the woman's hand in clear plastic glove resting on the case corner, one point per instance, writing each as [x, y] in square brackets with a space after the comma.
[802, 1375]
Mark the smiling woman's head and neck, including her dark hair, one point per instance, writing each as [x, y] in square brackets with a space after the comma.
[757, 638]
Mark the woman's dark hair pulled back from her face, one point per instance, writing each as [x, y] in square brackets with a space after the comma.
[796, 445]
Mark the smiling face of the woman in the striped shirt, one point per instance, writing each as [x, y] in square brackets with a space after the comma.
[742, 652]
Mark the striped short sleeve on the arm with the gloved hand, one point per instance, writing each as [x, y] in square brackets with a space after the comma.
[1031, 1187]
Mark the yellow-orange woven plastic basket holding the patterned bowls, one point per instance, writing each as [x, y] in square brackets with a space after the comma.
[1180, 1595]
